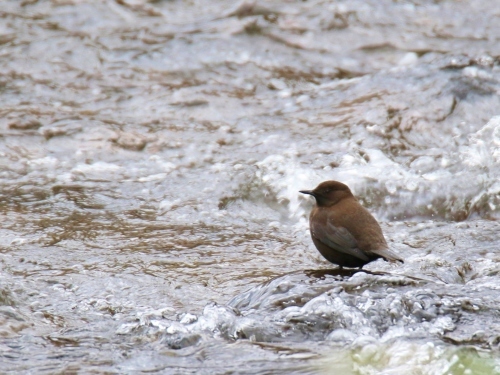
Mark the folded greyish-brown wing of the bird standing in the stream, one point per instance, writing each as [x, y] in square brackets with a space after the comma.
[339, 239]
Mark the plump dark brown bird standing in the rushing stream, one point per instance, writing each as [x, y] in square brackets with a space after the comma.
[343, 231]
